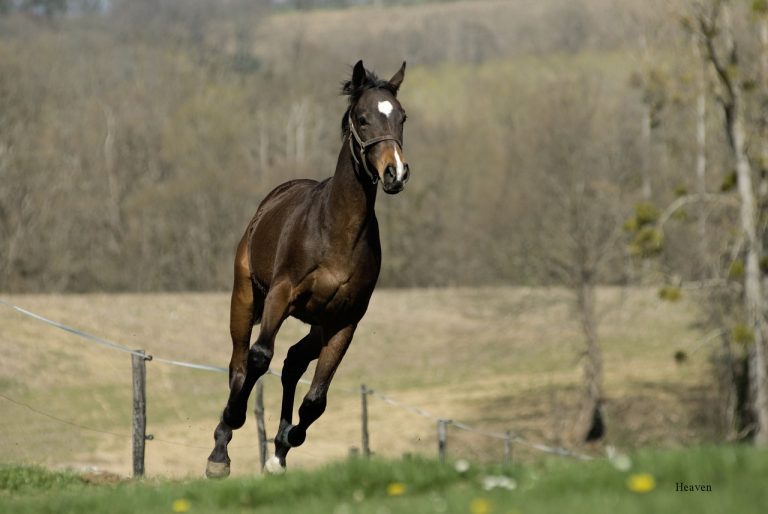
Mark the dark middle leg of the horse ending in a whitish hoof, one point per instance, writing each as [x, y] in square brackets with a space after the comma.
[296, 363]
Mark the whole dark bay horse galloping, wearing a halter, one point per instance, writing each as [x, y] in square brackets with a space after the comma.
[312, 251]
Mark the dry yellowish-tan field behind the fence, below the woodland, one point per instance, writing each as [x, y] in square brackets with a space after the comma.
[499, 358]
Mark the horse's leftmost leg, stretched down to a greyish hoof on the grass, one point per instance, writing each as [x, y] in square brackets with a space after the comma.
[257, 363]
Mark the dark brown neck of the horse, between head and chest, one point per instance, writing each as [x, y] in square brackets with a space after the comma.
[352, 198]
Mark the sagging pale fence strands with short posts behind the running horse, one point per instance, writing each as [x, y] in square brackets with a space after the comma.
[442, 423]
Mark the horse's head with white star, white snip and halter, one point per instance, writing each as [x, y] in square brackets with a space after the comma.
[373, 124]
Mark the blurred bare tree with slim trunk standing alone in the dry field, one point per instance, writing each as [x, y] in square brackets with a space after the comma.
[579, 234]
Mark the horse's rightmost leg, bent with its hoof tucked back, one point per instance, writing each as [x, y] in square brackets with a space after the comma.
[313, 405]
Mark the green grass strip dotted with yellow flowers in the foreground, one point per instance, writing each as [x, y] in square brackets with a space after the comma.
[736, 476]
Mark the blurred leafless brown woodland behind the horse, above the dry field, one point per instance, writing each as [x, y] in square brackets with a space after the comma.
[135, 144]
